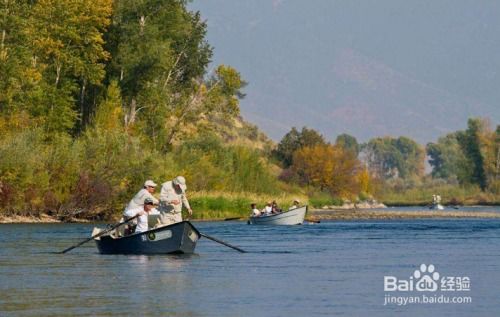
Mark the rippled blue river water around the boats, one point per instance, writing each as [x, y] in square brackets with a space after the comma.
[326, 269]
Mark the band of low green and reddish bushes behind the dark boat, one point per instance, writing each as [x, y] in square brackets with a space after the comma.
[95, 175]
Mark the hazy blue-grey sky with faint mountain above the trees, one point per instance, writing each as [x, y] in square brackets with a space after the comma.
[368, 68]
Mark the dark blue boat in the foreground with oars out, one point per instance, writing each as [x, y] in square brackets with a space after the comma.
[178, 238]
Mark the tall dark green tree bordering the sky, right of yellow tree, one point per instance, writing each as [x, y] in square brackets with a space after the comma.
[159, 56]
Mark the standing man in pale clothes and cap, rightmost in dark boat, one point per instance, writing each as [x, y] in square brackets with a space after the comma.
[172, 198]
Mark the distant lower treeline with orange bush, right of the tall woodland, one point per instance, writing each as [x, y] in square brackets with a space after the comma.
[391, 167]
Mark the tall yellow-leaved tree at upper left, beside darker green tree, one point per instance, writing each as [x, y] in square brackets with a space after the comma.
[66, 39]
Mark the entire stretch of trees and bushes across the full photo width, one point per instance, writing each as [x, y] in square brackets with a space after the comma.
[97, 96]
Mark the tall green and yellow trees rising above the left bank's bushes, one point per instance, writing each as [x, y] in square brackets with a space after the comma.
[59, 59]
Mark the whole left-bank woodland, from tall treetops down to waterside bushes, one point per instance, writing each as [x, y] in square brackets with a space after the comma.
[97, 96]
